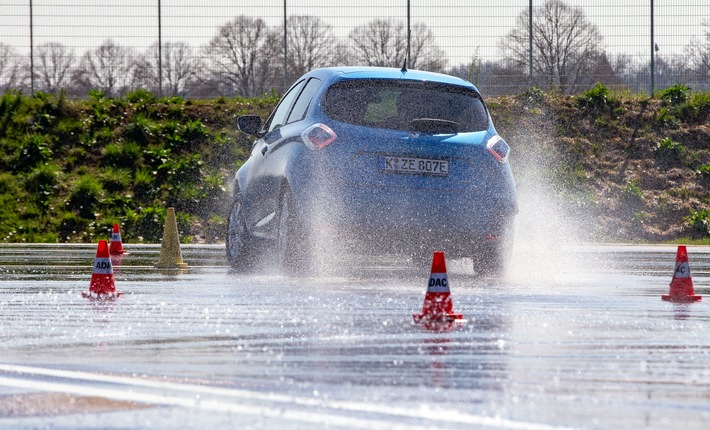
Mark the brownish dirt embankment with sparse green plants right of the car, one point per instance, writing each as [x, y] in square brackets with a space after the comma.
[628, 168]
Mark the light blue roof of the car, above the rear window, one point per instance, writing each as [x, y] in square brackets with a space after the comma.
[362, 72]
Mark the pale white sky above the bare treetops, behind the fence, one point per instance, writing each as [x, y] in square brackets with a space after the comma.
[463, 28]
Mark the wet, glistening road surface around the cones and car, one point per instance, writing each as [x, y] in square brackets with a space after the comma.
[575, 337]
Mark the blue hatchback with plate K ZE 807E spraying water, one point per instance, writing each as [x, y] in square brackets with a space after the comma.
[377, 161]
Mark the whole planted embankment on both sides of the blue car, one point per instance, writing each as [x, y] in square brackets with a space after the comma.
[68, 168]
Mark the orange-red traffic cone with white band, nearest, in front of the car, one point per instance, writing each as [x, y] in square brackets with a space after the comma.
[438, 309]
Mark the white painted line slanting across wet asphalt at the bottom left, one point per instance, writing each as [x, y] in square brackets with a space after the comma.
[321, 411]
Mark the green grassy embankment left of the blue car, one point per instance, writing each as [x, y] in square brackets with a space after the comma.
[68, 166]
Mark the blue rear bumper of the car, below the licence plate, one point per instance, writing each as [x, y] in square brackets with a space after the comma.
[406, 220]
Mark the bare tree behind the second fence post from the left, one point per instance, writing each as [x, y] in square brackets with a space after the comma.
[179, 69]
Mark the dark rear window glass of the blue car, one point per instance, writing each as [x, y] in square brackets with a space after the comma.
[406, 105]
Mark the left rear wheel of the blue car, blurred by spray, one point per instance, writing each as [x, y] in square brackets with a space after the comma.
[290, 254]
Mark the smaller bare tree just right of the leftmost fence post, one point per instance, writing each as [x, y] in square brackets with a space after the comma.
[53, 62]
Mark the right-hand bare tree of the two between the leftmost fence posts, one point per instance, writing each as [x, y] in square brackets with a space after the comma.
[109, 68]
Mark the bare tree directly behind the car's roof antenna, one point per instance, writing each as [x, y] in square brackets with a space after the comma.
[383, 42]
